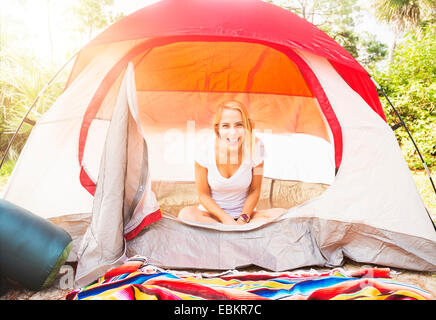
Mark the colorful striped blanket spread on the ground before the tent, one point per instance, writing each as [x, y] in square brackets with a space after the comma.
[152, 283]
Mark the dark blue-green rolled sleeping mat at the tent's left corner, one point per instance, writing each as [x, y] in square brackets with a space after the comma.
[32, 249]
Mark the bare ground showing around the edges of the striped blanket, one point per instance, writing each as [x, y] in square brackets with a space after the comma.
[423, 280]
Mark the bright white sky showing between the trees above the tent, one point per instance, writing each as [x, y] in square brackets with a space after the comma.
[26, 21]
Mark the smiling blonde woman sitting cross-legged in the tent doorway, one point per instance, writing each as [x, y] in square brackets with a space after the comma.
[229, 174]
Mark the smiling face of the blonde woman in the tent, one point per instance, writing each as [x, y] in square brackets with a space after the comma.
[231, 128]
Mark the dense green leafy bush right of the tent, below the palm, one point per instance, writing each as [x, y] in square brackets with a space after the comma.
[410, 84]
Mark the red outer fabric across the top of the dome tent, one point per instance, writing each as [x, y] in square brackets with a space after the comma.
[245, 19]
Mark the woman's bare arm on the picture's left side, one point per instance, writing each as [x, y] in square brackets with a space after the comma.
[205, 198]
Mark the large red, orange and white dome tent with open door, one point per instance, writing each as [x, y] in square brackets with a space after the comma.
[114, 155]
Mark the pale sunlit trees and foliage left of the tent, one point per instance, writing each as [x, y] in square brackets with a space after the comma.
[23, 75]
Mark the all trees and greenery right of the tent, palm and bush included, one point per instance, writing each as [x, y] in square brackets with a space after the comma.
[409, 80]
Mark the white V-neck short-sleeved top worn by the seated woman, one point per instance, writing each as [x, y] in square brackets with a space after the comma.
[228, 193]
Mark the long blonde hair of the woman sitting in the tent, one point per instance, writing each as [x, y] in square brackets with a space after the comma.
[247, 150]
